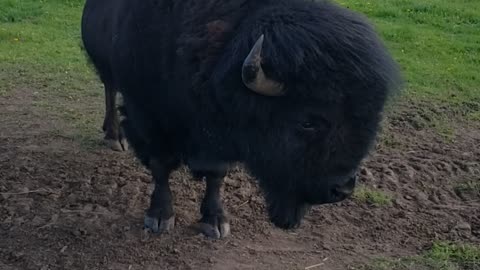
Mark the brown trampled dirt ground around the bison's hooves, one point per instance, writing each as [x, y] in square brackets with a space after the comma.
[64, 206]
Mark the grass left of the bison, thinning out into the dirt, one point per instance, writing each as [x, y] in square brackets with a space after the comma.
[40, 48]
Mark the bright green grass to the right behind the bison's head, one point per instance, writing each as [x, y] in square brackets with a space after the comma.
[437, 43]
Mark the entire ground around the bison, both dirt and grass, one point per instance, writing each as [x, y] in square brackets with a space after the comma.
[67, 202]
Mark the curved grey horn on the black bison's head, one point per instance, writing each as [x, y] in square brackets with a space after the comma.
[254, 77]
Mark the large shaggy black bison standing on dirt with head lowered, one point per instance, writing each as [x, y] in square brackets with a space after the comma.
[293, 89]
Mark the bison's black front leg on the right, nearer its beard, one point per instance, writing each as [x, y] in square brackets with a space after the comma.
[214, 222]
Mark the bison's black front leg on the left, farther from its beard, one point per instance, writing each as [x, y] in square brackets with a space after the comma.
[160, 215]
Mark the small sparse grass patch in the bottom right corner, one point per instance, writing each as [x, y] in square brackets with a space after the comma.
[441, 256]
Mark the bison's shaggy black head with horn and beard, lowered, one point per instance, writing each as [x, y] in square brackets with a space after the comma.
[307, 100]
